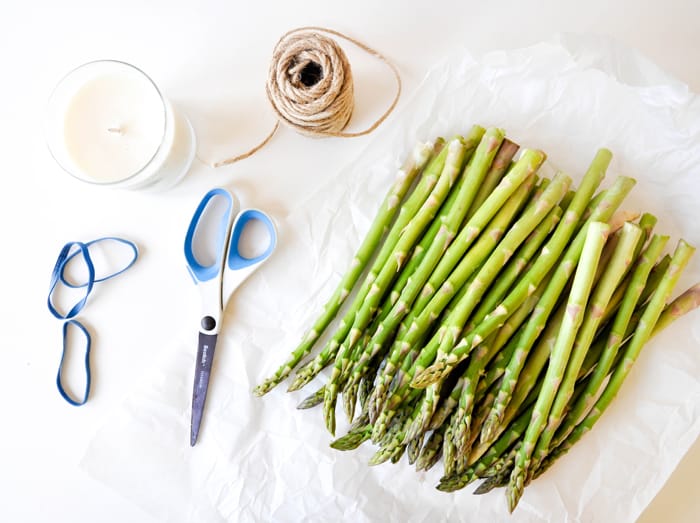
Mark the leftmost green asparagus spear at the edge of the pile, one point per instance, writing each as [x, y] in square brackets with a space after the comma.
[387, 211]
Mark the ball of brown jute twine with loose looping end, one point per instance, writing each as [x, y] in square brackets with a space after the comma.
[310, 87]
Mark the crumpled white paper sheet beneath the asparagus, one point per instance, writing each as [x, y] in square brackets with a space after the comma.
[262, 460]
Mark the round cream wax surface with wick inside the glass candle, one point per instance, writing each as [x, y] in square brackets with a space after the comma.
[114, 125]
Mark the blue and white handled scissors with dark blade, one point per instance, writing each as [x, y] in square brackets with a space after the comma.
[218, 268]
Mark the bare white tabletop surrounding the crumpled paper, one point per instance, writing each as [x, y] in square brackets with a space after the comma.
[210, 58]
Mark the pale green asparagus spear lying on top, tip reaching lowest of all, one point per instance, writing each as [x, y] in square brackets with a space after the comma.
[596, 234]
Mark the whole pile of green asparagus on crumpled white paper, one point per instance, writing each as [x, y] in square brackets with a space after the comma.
[499, 313]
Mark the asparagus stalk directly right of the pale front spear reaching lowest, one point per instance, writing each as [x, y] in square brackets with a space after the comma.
[619, 262]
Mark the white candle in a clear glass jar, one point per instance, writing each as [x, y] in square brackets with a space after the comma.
[109, 124]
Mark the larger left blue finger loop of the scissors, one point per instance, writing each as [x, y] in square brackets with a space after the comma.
[207, 272]
